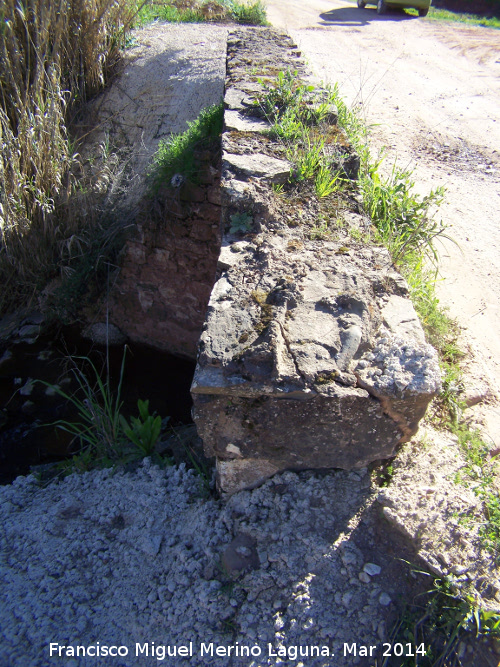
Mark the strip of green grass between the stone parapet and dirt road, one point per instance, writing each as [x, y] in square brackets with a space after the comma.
[406, 225]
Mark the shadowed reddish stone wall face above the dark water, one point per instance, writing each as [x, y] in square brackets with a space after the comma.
[168, 269]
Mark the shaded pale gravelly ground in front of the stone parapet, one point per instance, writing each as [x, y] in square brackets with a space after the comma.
[134, 558]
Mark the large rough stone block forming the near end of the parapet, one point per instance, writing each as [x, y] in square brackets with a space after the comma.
[306, 373]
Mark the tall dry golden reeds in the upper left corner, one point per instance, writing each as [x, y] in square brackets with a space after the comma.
[53, 57]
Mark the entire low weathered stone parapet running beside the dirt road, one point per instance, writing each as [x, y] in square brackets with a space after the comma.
[312, 355]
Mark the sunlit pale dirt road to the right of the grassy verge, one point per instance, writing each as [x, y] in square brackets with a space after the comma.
[431, 91]
